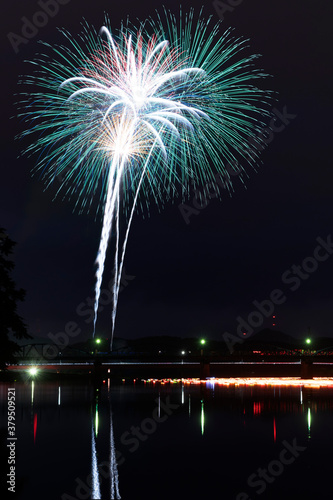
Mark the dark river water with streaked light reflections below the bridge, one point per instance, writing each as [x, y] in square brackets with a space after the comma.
[169, 440]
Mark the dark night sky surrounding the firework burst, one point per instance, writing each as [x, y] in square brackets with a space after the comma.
[197, 278]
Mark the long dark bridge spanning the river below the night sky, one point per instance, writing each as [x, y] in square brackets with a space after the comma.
[51, 358]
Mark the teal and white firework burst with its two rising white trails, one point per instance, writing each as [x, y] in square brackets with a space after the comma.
[143, 114]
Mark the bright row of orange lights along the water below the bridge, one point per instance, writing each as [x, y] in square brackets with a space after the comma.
[316, 382]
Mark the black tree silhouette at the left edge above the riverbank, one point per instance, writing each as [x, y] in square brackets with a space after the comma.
[10, 321]
